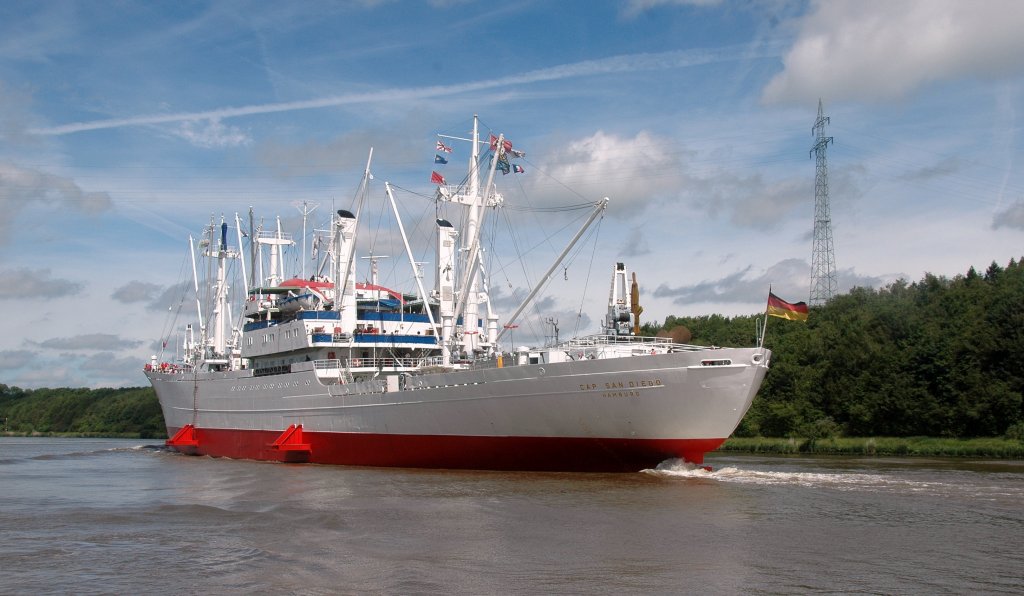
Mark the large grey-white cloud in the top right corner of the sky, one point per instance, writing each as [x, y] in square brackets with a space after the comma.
[879, 50]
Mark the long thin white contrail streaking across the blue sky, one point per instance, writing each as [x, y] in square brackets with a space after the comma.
[628, 63]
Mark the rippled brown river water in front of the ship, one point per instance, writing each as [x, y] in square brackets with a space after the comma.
[117, 517]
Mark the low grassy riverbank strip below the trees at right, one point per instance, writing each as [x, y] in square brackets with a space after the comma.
[994, 448]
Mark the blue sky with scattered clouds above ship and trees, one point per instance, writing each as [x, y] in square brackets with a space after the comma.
[127, 126]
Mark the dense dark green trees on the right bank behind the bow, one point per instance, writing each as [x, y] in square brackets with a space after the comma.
[937, 358]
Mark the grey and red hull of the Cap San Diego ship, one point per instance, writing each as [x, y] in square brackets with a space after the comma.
[600, 416]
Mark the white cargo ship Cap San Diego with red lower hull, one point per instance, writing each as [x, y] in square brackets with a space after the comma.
[327, 370]
